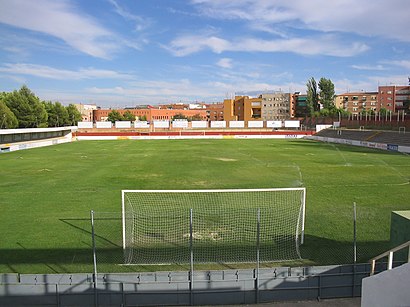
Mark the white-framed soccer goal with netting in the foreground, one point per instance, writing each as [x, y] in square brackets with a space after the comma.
[205, 226]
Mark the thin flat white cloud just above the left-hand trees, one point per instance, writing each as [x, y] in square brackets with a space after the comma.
[61, 74]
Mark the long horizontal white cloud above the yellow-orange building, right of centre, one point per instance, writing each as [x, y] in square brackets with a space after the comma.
[321, 45]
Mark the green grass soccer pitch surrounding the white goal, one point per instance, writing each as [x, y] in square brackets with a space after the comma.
[46, 194]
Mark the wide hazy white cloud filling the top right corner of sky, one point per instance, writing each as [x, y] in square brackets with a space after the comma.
[376, 18]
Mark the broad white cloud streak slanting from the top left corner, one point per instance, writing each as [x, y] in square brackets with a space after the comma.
[59, 19]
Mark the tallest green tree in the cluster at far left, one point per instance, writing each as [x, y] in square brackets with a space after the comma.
[27, 108]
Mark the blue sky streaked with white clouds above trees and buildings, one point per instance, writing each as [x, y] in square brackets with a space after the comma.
[117, 53]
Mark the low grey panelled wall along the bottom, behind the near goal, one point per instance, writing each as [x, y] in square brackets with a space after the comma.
[176, 288]
